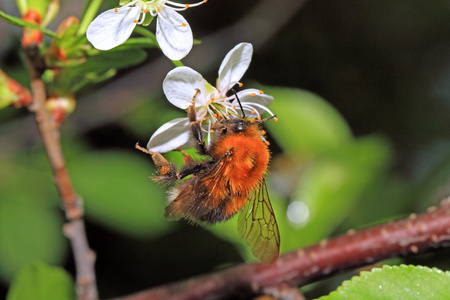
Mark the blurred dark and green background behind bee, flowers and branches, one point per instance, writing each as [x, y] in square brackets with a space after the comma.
[362, 95]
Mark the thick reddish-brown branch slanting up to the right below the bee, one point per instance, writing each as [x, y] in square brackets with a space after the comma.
[417, 233]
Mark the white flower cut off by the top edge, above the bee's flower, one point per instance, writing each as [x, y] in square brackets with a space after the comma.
[113, 27]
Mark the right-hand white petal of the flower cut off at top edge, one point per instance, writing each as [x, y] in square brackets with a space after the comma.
[174, 39]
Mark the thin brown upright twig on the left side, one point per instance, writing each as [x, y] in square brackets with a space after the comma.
[74, 229]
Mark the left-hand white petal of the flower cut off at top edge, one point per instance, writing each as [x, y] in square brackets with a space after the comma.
[111, 29]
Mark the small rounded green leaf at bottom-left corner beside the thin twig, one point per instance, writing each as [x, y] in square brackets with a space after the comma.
[39, 281]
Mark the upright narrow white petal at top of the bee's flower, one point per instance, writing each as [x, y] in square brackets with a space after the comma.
[233, 66]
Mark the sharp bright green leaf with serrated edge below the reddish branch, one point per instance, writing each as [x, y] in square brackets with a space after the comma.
[395, 282]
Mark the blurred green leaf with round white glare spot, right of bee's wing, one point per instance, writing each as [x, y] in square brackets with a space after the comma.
[330, 187]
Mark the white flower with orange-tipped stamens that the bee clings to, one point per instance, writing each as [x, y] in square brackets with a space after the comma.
[182, 83]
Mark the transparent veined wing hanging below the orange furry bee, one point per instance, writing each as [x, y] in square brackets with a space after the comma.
[258, 227]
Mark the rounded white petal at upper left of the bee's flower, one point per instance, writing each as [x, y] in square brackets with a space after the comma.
[180, 86]
